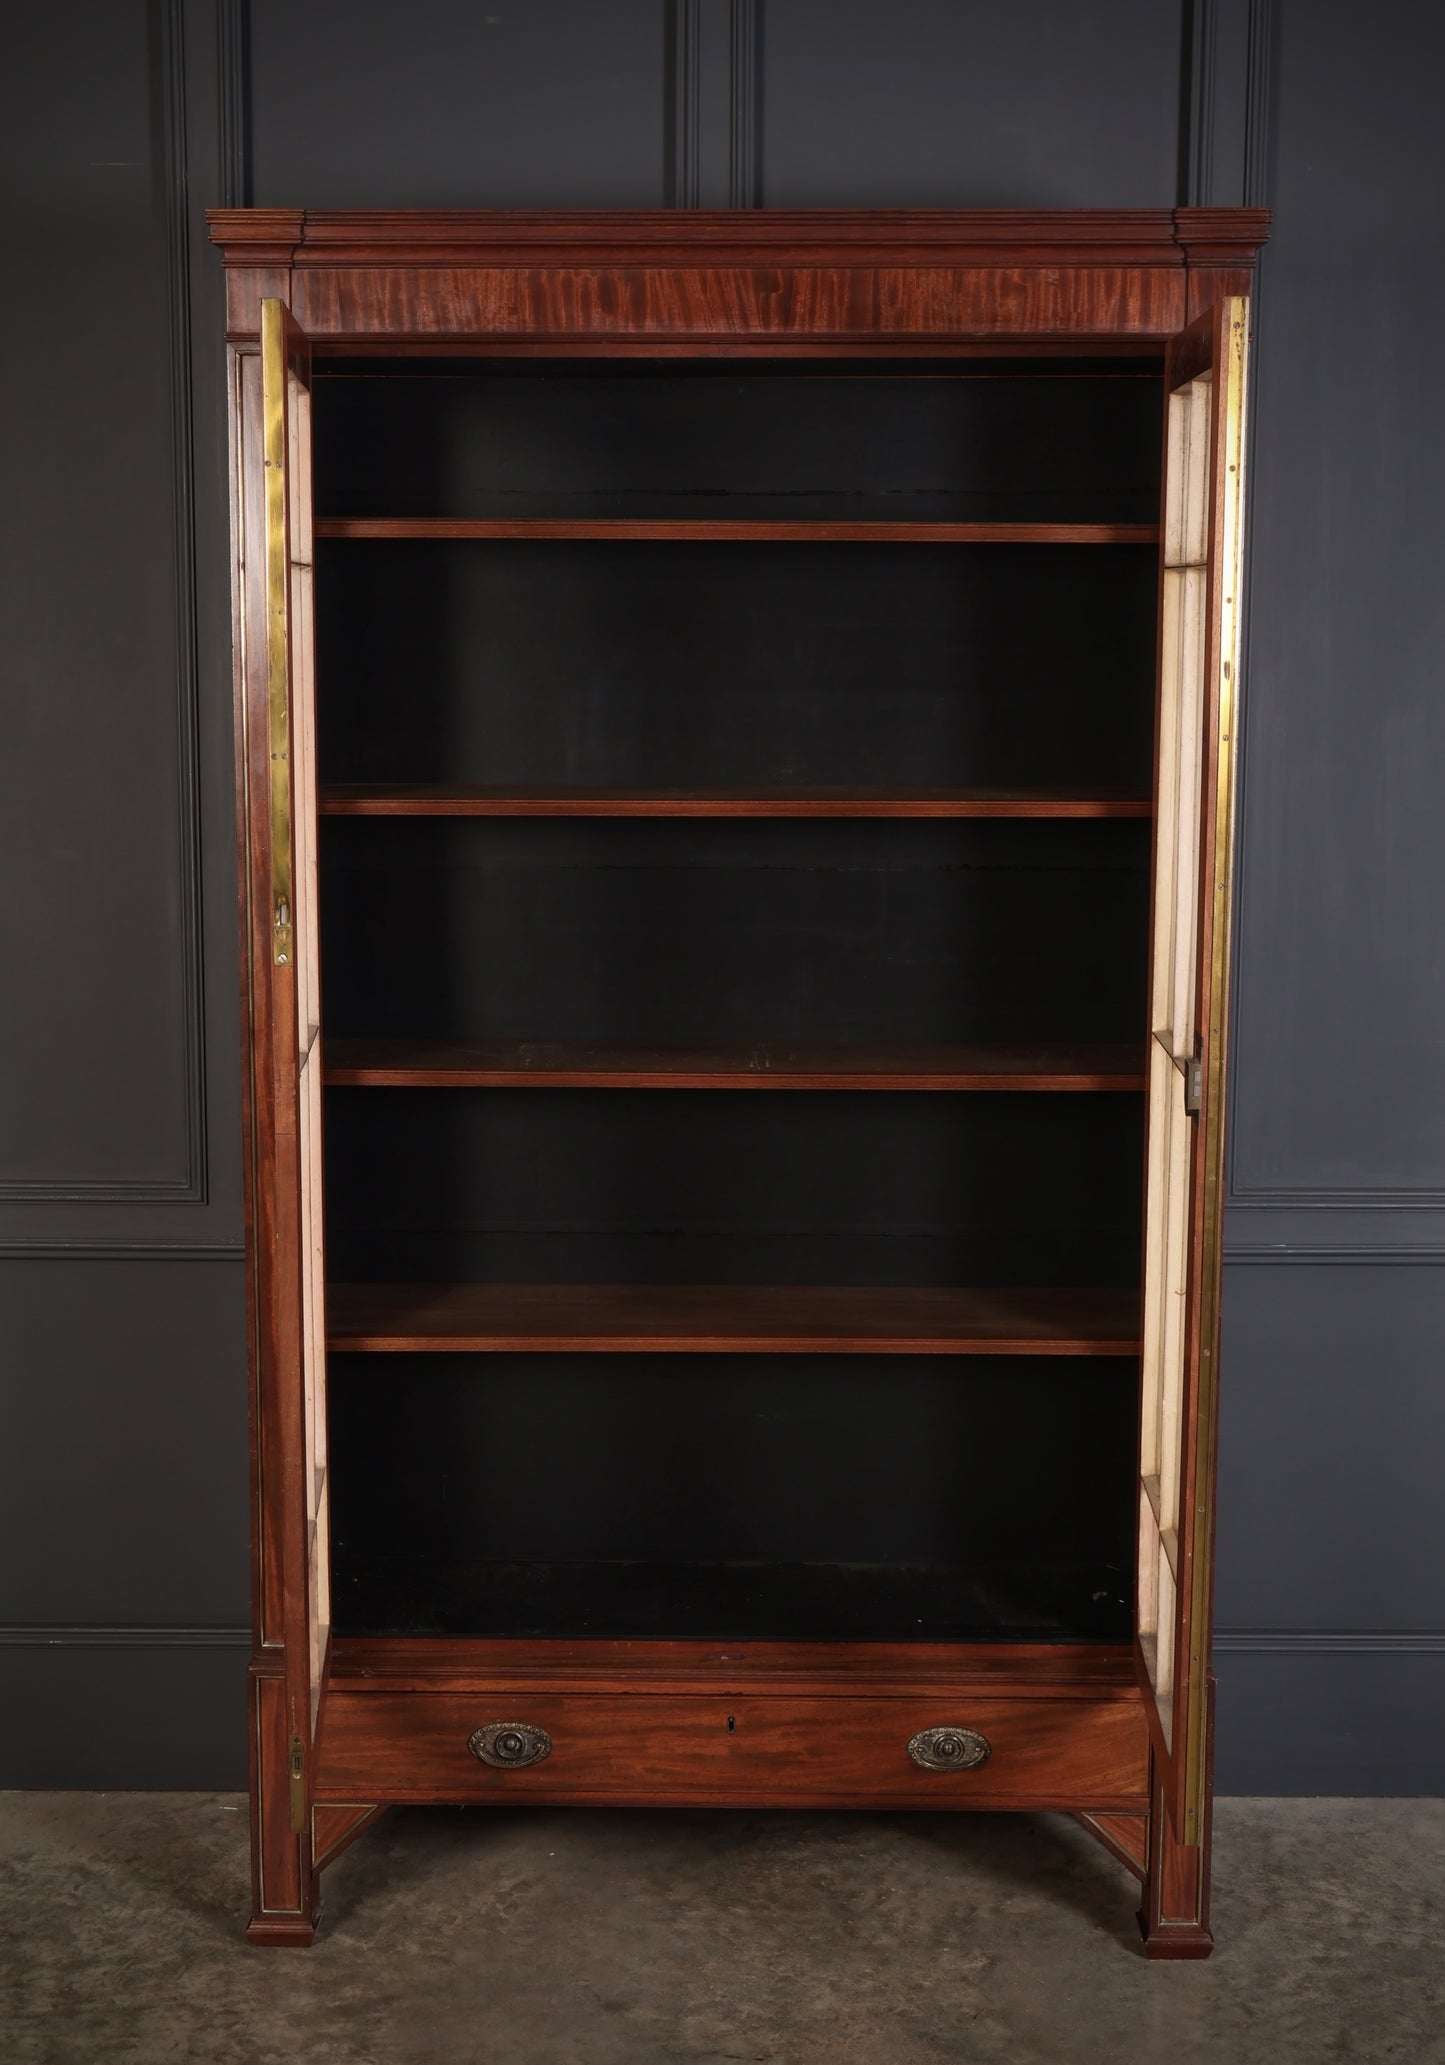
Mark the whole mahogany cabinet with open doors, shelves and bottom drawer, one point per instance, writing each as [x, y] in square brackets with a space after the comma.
[736, 734]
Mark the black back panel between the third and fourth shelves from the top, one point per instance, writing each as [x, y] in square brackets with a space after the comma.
[693, 1186]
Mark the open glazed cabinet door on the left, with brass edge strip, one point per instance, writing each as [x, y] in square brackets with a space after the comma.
[284, 1102]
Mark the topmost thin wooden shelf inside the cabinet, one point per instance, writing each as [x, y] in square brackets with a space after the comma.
[726, 530]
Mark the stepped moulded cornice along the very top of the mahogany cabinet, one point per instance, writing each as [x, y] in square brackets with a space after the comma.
[684, 236]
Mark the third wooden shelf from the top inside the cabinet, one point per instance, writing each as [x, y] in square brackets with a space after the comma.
[455, 1065]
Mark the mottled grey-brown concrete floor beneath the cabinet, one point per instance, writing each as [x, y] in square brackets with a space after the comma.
[577, 1938]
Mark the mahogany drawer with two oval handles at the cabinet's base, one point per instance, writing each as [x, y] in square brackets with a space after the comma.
[746, 1750]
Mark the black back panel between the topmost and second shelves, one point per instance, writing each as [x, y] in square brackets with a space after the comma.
[757, 664]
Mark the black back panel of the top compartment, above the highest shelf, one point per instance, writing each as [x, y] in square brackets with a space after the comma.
[724, 441]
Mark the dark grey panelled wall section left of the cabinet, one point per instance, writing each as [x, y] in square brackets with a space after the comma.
[123, 1339]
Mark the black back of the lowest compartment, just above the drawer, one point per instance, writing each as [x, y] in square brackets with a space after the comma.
[641, 1496]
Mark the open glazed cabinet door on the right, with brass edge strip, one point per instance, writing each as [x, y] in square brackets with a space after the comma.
[1194, 835]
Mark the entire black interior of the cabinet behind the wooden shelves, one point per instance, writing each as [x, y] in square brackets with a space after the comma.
[732, 1496]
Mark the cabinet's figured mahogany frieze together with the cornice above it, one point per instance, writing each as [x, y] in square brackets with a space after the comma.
[744, 280]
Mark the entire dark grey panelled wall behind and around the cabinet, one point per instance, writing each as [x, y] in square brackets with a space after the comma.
[123, 1401]
